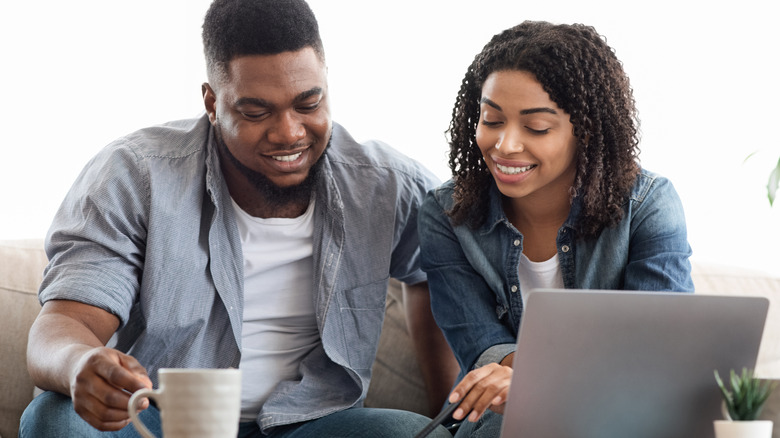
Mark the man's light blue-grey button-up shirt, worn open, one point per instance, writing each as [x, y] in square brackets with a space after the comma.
[147, 232]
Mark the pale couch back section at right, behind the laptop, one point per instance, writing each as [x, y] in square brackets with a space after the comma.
[724, 280]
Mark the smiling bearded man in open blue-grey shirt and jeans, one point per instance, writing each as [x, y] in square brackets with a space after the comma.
[258, 236]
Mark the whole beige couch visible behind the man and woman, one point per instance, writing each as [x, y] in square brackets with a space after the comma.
[396, 382]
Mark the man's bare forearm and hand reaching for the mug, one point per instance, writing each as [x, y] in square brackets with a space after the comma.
[66, 353]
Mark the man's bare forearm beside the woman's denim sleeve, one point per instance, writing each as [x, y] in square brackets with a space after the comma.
[437, 363]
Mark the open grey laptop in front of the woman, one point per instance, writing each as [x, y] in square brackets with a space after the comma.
[602, 364]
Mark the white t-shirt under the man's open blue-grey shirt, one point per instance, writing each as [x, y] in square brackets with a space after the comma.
[280, 325]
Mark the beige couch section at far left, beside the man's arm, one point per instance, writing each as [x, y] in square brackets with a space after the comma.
[21, 270]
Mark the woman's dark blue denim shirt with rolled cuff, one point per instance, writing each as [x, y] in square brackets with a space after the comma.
[473, 273]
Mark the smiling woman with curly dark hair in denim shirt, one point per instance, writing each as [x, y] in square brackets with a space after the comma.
[546, 192]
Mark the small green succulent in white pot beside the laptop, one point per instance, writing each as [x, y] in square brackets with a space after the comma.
[742, 405]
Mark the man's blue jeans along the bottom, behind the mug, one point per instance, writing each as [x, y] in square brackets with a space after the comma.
[52, 415]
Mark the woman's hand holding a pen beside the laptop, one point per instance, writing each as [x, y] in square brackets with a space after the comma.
[486, 387]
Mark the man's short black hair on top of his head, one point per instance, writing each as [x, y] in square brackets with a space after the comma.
[234, 28]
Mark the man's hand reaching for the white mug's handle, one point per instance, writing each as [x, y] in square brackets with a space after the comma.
[102, 385]
